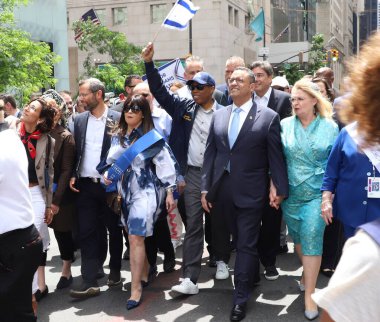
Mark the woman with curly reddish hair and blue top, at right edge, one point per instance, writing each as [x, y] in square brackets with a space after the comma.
[351, 182]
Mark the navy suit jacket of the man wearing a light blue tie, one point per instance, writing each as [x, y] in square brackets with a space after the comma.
[256, 150]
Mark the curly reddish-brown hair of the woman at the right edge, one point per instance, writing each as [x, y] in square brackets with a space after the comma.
[364, 101]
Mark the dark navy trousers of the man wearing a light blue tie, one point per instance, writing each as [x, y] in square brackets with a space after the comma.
[244, 225]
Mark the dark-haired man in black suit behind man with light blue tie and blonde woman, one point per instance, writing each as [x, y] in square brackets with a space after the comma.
[267, 97]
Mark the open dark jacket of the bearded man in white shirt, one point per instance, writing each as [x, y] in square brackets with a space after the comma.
[80, 129]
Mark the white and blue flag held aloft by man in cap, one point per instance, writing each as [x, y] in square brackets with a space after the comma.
[180, 15]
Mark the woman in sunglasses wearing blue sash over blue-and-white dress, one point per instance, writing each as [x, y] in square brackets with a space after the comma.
[151, 173]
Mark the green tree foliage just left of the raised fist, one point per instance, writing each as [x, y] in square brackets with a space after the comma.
[123, 58]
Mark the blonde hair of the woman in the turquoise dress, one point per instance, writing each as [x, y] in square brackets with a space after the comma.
[323, 106]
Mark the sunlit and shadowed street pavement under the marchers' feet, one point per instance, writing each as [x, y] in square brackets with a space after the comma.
[278, 300]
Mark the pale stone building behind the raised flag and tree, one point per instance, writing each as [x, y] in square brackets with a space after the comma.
[219, 30]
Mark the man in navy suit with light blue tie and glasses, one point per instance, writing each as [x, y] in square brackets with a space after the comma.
[244, 143]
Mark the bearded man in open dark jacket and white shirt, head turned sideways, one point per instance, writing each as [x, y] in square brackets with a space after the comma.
[92, 138]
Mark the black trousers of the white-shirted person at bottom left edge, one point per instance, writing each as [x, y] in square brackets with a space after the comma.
[20, 256]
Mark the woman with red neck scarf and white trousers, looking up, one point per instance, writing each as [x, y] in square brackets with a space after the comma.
[36, 122]
